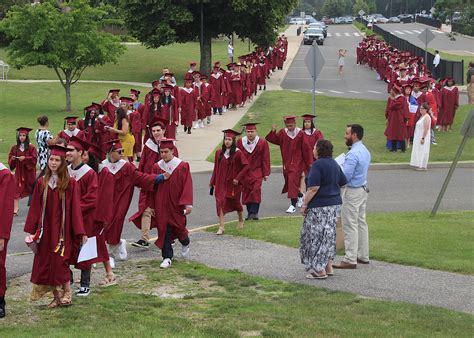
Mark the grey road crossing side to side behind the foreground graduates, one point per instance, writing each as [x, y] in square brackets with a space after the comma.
[390, 190]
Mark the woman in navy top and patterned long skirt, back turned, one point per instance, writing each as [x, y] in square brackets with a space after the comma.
[320, 207]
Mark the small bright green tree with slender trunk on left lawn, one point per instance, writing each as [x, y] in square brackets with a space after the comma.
[65, 37]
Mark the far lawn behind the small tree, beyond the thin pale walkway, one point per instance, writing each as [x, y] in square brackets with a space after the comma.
[139, 64]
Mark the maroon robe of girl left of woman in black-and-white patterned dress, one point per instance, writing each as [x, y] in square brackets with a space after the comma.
[25, 171]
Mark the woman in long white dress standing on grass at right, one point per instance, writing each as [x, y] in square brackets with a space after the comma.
[420, 152]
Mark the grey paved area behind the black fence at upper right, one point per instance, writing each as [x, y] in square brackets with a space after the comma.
[410, 32]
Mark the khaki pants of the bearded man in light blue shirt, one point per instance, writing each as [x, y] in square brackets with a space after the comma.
[356, 232]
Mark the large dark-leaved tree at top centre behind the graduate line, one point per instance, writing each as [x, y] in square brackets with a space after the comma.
[161, 22]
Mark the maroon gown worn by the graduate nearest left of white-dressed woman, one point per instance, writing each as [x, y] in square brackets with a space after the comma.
[396, 113]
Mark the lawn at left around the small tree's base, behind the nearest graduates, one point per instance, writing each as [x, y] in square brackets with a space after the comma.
[22, 103]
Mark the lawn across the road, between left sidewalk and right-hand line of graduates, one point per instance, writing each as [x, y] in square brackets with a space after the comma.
[333, 116]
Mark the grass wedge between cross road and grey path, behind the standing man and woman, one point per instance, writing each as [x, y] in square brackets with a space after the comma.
[411, 238]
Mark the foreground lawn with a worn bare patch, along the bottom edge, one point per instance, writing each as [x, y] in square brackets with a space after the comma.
[191, 300]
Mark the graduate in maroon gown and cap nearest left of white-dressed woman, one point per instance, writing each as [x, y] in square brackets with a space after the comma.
[396, 113]
